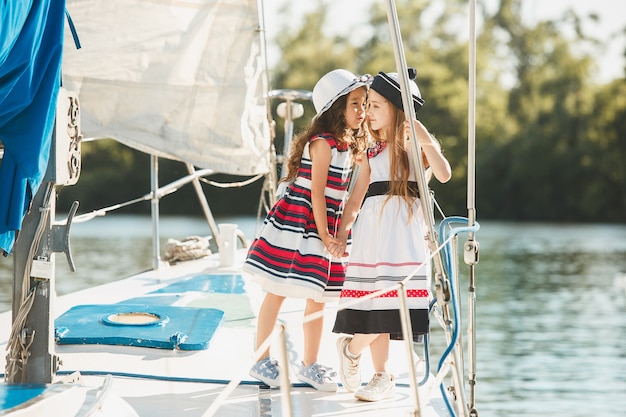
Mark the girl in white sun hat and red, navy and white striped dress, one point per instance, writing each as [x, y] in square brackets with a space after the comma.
[292, 256]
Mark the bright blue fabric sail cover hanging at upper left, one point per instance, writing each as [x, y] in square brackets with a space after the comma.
[31, 47]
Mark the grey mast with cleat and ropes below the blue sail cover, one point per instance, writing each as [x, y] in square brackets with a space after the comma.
[31, 357]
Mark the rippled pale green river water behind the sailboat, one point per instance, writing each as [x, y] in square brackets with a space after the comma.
[551, 306]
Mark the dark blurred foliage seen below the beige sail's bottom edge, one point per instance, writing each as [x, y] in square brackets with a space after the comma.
[114, 174]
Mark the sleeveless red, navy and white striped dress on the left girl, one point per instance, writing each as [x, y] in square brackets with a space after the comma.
[288, 257]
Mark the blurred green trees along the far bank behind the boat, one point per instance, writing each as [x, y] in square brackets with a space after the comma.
[550, 139]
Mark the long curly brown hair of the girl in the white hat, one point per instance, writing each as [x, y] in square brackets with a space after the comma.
[331, 121]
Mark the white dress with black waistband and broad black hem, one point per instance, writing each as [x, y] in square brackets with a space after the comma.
[386, 248]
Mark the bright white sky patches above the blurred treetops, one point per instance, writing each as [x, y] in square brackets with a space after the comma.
[344, 16]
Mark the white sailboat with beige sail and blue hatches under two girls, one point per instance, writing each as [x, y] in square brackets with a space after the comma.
[188, 81]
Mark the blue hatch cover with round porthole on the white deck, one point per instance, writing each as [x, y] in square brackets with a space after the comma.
[143, 325]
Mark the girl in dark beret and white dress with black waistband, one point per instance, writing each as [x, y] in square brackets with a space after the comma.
[389, 240]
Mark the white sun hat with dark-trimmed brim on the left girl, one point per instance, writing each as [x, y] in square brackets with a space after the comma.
[334, 85]
